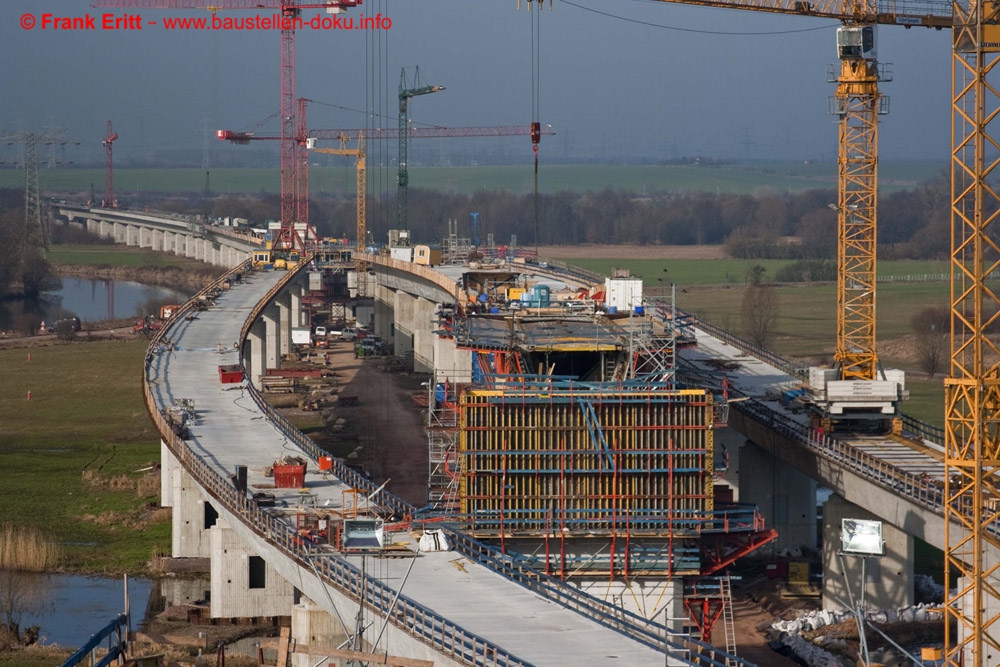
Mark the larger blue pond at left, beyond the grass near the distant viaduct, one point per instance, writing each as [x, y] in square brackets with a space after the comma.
[90, 300]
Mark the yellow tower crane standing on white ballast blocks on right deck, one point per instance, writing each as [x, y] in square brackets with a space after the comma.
[857, 103]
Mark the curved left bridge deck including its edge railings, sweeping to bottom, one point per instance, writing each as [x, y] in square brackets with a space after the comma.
[466, 611]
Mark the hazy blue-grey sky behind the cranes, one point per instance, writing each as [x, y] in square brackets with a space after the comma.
[617, 79]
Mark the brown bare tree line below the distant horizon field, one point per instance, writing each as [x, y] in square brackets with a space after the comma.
[912, 224]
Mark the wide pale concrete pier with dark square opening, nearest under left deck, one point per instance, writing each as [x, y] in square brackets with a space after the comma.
[243, 585]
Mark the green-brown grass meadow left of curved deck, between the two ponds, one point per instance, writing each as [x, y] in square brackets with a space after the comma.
[85, 415]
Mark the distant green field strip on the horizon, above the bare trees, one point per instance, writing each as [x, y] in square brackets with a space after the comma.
[730, 179]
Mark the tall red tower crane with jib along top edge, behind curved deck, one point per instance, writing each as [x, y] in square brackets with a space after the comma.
[288, 238]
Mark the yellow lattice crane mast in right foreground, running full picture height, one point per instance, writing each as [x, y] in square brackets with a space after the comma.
[972, 390]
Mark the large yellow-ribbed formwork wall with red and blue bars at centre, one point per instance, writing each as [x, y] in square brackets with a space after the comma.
[586, 461]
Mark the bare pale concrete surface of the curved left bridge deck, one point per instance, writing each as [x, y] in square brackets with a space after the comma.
[230, 430]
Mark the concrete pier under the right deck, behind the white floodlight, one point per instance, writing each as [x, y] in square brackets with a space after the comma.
[888, 580]
